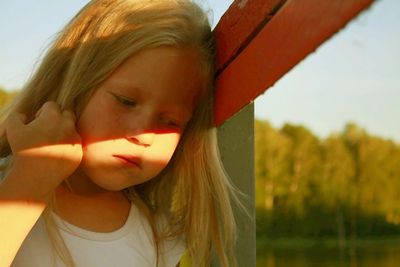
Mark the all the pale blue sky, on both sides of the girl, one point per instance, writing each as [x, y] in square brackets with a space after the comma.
[353, 77]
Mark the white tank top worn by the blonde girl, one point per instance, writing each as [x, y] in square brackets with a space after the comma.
[131, 245]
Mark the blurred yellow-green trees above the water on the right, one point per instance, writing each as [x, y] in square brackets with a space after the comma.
[345, 186]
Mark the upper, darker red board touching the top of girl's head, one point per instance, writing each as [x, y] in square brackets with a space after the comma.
[239, 23]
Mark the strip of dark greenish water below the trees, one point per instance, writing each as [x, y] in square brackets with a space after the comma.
[371, 254]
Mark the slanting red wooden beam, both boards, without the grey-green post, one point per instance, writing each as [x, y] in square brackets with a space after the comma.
[272, 45]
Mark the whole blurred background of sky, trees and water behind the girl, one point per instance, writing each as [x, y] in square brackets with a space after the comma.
[327, 135]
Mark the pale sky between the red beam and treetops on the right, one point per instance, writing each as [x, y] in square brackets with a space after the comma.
[354, 77]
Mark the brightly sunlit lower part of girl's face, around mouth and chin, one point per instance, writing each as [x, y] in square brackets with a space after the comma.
[125, 163]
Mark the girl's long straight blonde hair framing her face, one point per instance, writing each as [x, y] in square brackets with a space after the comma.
[192, 192]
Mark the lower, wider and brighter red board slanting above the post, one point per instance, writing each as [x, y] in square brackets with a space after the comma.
[298, 28]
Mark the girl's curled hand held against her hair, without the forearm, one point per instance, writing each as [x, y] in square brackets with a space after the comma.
[46, 151]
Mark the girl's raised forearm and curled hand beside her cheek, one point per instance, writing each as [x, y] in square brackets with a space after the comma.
[45, 151]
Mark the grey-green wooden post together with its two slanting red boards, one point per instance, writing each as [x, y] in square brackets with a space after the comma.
[259, 41]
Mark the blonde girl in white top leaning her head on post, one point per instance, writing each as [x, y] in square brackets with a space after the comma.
[110, 157]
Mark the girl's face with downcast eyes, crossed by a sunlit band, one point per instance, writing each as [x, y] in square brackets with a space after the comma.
[135, 119]
